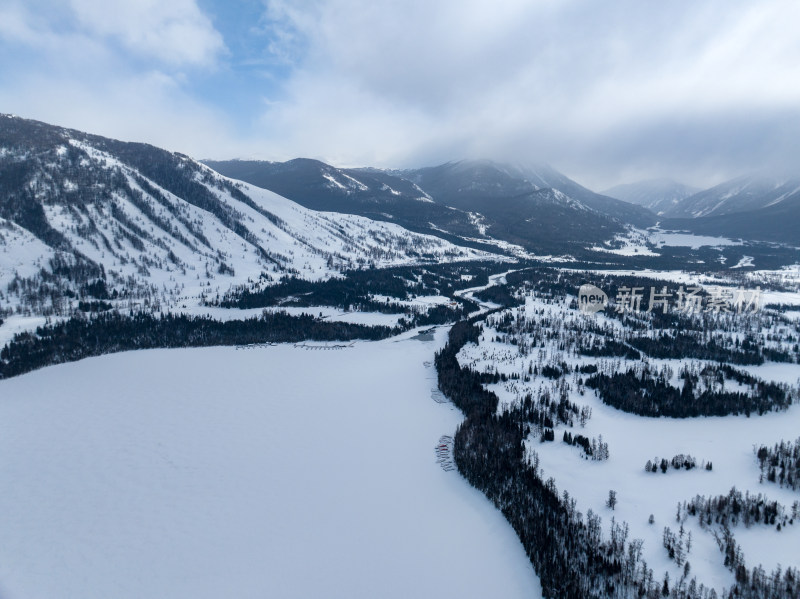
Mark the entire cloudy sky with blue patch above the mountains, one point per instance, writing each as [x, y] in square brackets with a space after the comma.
[607, 92]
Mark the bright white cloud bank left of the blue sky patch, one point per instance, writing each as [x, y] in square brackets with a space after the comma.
[71, 74]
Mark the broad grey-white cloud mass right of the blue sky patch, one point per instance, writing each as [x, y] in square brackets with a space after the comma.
[596, 88]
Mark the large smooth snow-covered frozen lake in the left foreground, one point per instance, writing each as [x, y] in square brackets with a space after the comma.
[262, 472]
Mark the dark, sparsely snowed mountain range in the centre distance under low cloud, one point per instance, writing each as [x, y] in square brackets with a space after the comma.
[469, 202]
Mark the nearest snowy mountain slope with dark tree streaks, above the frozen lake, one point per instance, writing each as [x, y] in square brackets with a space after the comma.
[156, 226]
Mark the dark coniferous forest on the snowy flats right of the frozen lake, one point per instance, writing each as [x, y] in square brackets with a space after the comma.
[567, 549]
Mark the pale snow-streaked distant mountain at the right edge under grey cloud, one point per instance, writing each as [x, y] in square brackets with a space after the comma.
[737, 195]
